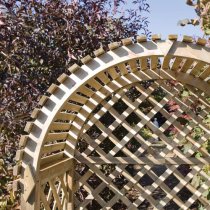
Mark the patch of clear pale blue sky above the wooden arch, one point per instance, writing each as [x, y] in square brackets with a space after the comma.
[164, 15]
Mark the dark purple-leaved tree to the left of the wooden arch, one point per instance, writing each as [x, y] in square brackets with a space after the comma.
[39, 40]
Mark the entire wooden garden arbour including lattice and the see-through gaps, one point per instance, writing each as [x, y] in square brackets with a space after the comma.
[127, 130]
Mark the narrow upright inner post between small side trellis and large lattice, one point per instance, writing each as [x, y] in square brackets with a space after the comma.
[71, 185]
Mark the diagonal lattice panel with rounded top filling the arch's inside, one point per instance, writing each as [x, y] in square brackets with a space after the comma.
[138, 151]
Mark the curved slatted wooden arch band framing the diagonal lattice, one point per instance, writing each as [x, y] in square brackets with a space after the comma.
[67, 107]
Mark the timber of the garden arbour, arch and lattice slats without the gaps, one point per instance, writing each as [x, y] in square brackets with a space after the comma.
[69, 110]
